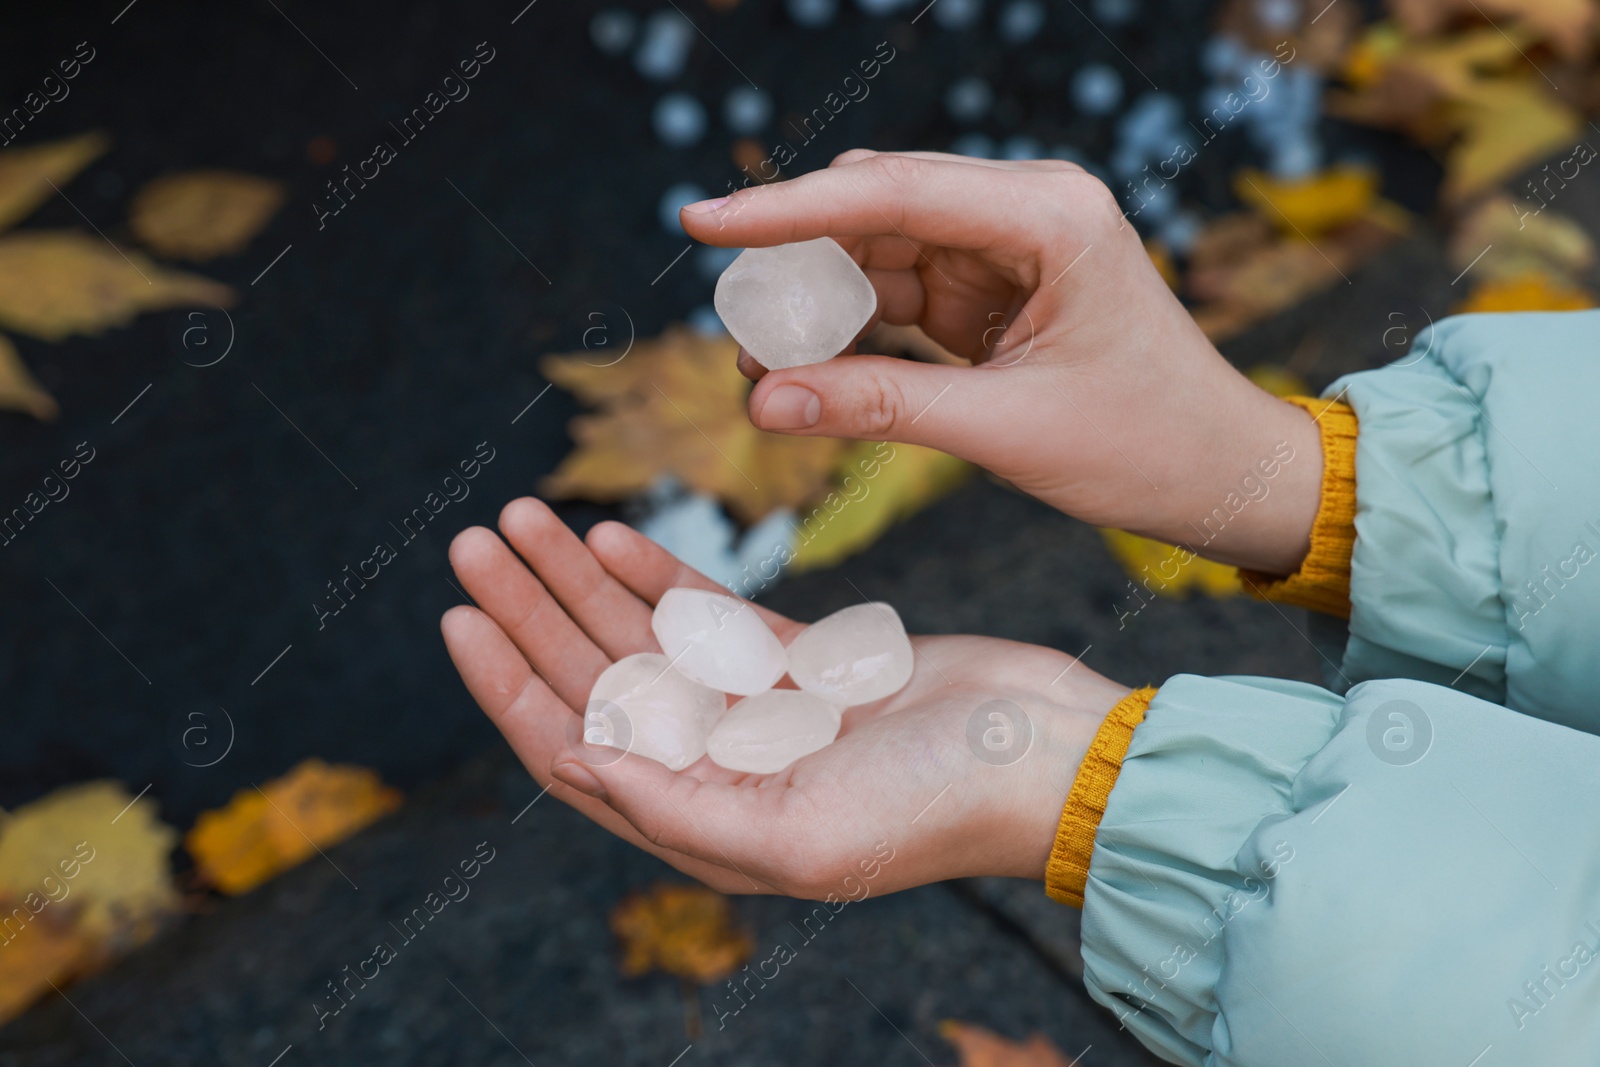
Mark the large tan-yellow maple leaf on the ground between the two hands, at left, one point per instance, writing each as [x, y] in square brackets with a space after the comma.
[676, 406]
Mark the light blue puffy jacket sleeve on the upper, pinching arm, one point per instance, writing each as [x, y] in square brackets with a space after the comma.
[1478, 524]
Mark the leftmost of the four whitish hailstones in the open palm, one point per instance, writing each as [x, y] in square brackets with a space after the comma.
[642, 705]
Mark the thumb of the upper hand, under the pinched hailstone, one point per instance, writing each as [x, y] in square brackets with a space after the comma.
[882, 399]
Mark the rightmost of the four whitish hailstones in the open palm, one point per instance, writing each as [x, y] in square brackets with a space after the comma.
[854, 657]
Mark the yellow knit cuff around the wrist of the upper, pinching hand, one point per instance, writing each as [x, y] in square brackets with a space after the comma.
[1324, 580]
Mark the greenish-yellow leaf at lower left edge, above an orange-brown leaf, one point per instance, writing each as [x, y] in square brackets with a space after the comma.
[121, 889]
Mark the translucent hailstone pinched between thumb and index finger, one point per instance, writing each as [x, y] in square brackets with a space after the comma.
[794, 305]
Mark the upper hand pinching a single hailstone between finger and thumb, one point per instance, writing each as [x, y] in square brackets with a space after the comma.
[1094, 391]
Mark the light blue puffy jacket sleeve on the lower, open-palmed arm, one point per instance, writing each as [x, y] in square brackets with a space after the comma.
[1401, 876]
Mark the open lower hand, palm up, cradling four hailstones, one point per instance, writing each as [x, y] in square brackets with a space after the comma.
[924, 777]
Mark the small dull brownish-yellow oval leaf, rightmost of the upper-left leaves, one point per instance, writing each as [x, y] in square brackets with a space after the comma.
[204, 215]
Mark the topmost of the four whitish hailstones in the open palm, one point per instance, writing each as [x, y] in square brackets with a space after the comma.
[719, 642]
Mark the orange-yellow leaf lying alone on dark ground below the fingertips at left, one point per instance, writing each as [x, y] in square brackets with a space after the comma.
[266, 831]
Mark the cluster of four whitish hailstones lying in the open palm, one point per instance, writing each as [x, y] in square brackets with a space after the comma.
[679, 706]
